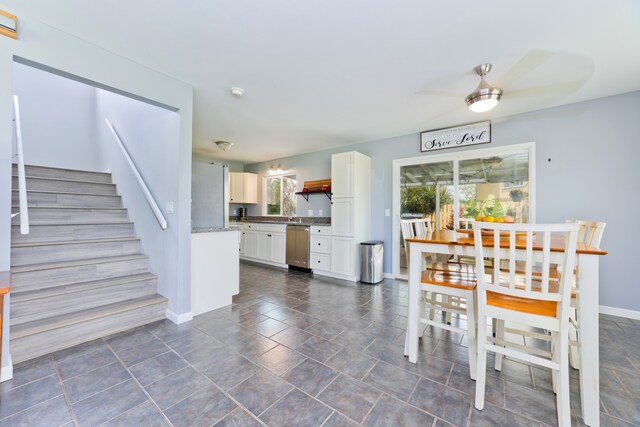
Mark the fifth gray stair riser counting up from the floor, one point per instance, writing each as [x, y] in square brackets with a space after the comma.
[58, 233]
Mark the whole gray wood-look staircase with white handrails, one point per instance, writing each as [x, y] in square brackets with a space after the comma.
[79, 274]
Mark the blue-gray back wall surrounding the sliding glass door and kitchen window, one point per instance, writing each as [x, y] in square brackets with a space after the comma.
[593, 174]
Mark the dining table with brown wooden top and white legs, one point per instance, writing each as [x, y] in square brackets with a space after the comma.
[461, 243]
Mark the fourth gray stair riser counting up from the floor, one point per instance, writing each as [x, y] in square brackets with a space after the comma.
[75, 251]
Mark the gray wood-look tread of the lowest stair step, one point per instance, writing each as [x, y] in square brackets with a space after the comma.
[43, 325]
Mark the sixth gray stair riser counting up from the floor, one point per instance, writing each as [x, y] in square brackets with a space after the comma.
[44, 216]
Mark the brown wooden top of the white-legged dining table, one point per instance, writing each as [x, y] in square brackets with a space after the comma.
[450, 237]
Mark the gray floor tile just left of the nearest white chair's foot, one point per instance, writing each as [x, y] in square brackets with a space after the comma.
[441, 401]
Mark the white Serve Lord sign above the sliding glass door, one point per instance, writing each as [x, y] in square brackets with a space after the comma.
[459, 136]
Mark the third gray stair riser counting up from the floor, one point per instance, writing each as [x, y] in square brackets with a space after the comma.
[44, 279]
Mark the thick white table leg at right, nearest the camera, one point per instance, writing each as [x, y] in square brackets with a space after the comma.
[589, 340]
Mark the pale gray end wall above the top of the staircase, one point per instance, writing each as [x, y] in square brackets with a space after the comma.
[58, 118]
